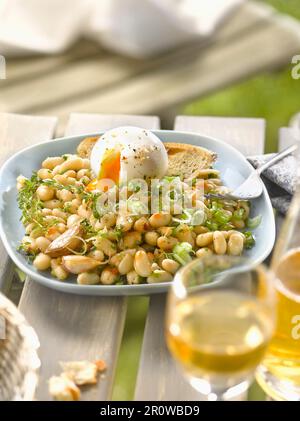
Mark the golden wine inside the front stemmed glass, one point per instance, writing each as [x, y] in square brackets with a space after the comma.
[219, 333]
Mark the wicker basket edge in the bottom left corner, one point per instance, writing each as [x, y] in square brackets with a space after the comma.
[19, 362]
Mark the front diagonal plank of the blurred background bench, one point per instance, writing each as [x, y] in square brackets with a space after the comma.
[201, 71]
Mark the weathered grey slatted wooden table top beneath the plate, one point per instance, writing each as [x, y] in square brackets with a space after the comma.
[79, 327]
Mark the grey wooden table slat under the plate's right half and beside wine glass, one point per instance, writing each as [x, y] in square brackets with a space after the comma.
[158, 378]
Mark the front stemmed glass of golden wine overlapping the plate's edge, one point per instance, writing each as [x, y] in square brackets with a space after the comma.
[220, 319]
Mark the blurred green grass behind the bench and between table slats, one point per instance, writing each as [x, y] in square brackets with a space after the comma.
[273, 96]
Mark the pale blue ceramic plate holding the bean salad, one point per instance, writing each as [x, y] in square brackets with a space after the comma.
[232, 164]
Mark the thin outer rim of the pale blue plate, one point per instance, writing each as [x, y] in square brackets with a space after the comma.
[120, 290]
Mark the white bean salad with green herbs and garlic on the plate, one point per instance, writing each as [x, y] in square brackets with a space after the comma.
[66, 234]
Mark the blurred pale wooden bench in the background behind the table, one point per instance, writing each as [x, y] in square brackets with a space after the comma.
[254, 38]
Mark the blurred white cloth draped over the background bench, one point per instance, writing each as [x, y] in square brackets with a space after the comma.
[138, 28]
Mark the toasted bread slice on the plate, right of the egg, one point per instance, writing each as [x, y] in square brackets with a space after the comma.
[187, 161]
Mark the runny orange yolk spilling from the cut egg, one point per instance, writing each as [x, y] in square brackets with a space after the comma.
[109, 169]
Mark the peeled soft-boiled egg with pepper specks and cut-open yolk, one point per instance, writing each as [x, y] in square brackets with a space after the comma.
[126, 153]
